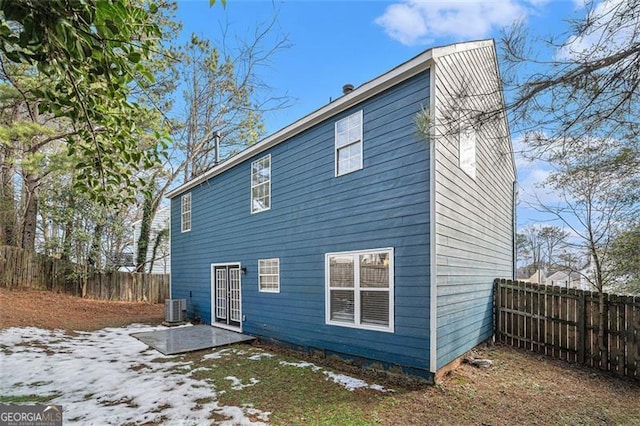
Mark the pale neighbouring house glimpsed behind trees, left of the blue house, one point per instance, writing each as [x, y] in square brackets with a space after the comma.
[158, 259]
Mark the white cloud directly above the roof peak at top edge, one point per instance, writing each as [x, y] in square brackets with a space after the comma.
[419, 22]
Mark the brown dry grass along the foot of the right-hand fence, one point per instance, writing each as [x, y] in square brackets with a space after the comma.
[524, 389]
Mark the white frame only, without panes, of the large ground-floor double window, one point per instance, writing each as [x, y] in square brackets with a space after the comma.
[357, 289]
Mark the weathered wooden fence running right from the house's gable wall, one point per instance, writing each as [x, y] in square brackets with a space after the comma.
[563, 323]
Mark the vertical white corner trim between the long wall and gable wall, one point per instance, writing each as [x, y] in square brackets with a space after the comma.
[433, 269]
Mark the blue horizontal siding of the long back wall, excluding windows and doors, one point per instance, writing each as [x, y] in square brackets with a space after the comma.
[386, 204]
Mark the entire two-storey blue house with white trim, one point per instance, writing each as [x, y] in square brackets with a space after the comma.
[372, 228]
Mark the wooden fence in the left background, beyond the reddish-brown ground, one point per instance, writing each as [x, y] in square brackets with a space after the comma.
[26, 269]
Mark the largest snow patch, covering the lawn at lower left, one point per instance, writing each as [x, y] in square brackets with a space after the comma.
[109, 377]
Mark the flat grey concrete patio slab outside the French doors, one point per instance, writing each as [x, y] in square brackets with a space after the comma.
[191, 338]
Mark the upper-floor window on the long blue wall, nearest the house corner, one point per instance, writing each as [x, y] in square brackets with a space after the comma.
[349, 144]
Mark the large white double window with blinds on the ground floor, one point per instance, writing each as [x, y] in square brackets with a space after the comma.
[359, 289]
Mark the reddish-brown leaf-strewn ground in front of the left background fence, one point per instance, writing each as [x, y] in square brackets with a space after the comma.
[44, 309]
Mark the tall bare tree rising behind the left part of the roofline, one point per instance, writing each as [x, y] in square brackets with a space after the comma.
[224, 100]
